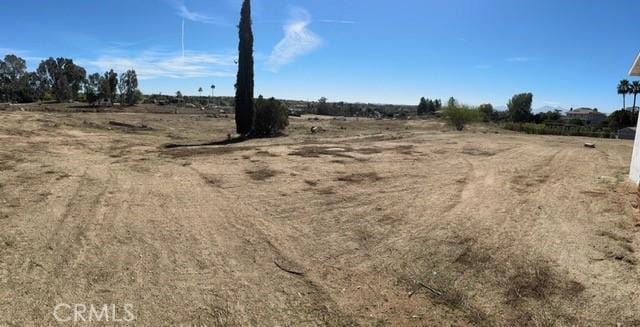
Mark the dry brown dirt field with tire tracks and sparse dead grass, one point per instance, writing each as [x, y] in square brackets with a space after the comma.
[372, 223]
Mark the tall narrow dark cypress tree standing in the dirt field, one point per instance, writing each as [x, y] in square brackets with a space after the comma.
[244, 84]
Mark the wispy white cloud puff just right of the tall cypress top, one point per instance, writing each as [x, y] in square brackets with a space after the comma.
[298, 40]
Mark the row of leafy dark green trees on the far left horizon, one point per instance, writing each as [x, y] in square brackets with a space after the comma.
[62, 80]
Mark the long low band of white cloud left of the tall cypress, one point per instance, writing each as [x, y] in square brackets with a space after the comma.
[154, 64]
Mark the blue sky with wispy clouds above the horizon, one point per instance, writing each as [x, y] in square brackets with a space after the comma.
[568, 53]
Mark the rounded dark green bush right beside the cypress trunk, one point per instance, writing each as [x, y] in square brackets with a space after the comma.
[272, 117]
